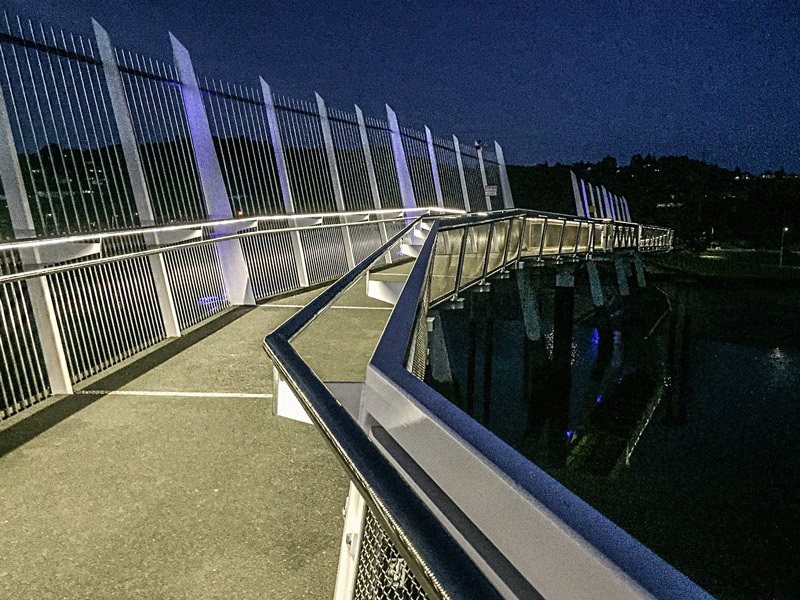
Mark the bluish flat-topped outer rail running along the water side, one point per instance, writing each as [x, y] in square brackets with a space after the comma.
[630, 558]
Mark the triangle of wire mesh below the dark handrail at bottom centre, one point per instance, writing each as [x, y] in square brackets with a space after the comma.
[382, 573]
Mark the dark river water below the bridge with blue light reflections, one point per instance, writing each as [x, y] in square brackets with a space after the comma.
[707, 412]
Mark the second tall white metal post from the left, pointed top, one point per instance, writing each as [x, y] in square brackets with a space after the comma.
[133, 163]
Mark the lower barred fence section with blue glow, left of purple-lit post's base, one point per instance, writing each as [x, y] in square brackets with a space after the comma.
[195, 277]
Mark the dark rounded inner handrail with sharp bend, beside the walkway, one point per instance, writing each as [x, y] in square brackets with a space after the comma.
[440, 564]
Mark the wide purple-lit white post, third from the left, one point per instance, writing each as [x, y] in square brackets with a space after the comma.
[234, 268]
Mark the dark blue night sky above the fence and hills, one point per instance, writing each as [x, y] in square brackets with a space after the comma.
[551, 81]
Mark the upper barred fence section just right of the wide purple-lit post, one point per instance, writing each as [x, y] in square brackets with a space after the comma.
[242, 140]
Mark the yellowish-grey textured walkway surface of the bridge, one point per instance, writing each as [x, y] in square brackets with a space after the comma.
[169, 477]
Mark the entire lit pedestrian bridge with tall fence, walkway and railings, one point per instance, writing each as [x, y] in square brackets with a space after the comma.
[166, 232]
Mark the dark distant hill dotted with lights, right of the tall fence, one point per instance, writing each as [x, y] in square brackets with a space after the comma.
[688, 195]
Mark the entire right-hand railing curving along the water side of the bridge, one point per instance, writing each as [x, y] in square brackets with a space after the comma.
[527, 535]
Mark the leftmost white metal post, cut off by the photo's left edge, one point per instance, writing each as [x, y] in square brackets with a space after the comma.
[38, 289]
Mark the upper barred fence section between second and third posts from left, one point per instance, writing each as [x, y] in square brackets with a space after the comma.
[163, 138]
